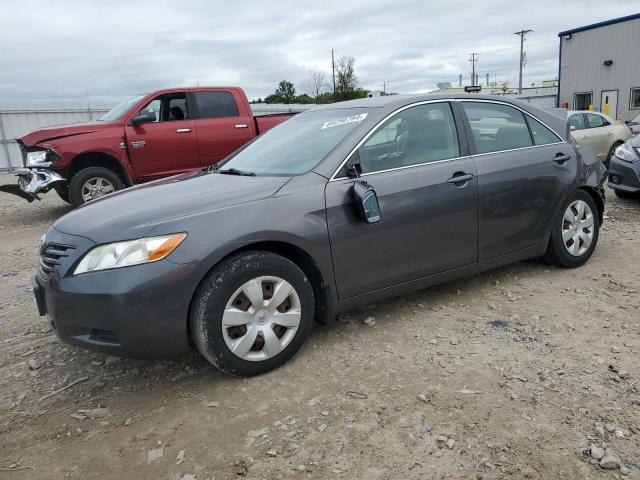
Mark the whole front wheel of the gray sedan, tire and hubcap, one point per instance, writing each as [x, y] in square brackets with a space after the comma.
[222, 291]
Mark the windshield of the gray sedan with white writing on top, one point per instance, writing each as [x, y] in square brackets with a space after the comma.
[297, 145]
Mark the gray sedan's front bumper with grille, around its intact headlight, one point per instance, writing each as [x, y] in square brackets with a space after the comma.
[138, 311]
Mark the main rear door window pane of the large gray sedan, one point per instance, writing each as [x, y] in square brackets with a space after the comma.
[496, 127]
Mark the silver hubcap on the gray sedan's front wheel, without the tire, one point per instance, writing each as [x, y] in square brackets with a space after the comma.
[261, 318]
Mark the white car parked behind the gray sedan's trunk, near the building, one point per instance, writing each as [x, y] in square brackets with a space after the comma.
[598, 130]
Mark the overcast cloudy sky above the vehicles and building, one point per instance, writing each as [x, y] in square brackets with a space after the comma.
[63, 51]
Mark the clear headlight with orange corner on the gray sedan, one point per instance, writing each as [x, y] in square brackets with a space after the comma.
[132, 252]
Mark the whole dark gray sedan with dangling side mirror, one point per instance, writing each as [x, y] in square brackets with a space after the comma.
[338, 207]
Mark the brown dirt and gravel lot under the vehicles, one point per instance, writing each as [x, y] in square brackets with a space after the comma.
[510, 374]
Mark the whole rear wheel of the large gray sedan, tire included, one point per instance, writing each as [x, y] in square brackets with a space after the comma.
[558, 253]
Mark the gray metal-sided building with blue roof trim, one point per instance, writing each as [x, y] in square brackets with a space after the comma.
[599, 68]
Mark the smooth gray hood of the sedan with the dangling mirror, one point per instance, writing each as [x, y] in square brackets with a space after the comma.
[134, 212]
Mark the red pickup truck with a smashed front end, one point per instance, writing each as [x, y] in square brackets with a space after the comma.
[150, 136]
